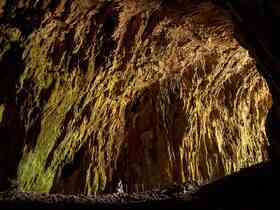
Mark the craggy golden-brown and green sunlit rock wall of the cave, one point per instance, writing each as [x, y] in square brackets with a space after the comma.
[146, 92]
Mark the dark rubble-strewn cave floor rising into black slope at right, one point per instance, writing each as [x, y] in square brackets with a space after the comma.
[250, 189]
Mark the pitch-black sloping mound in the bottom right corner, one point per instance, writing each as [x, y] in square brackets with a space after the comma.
[251, 188]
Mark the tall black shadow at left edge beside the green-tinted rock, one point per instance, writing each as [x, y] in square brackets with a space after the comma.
[11, 126]
